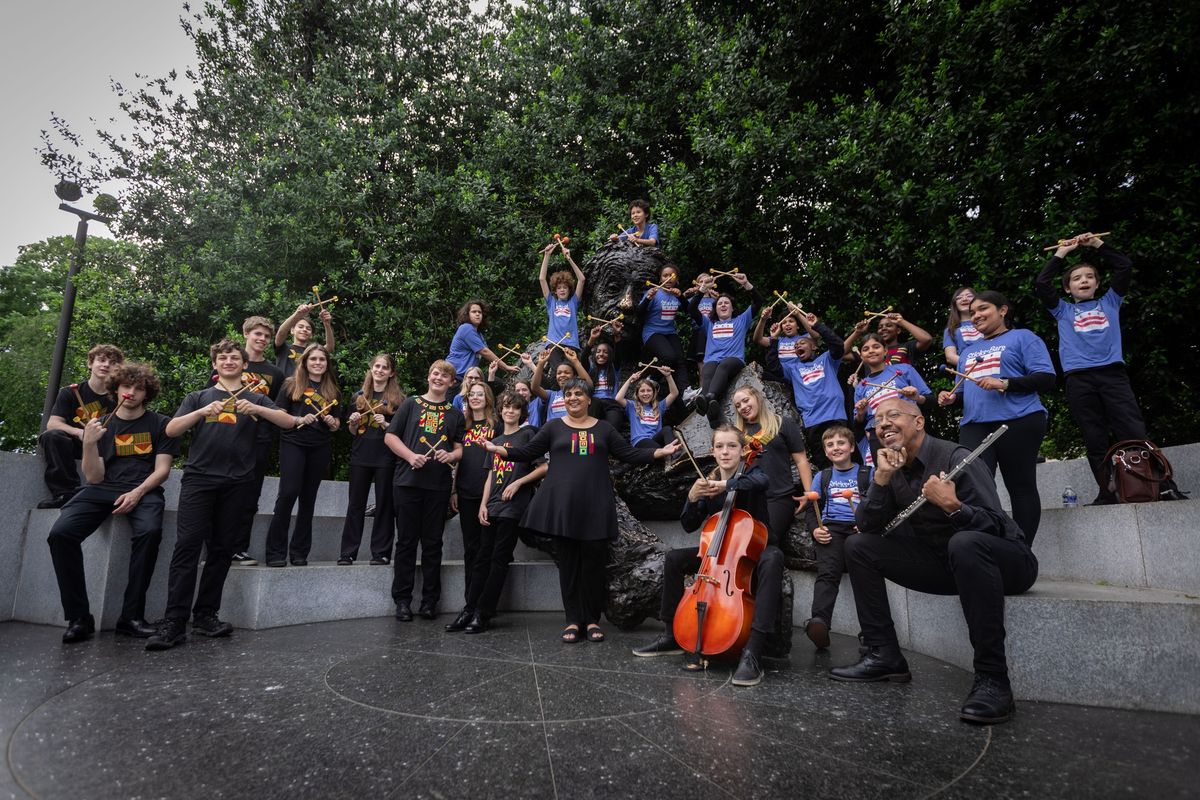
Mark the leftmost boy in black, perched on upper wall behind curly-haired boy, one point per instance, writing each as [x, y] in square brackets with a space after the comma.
[63, 440]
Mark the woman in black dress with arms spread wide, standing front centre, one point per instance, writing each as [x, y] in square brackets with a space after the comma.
[575, 503]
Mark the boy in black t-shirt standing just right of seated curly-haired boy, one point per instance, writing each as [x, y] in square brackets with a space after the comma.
[215, 492]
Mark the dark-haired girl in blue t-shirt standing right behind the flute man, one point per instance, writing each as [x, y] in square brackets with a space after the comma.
[1009, 369]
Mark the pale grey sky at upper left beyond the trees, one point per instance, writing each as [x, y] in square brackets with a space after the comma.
[62, 57]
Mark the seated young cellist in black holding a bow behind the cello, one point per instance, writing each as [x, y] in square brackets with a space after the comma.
[706, 502]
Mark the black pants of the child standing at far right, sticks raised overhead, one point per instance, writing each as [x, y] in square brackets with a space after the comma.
[1102, 401]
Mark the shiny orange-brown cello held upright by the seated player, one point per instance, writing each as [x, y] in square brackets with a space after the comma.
[715, 617]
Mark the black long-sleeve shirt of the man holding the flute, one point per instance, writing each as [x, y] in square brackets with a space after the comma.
[974, 486]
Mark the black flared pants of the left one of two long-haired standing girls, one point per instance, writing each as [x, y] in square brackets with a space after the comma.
[302, 471]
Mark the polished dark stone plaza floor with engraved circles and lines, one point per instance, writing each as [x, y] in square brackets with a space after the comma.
[379, 709]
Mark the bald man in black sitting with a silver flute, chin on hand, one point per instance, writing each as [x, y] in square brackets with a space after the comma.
[961, 543]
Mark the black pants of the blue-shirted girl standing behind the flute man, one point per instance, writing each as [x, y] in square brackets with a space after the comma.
[1017, 454]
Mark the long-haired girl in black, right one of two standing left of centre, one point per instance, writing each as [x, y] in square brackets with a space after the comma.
[371, 462]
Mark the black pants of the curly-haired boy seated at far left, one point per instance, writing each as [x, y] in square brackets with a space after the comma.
[77, 521]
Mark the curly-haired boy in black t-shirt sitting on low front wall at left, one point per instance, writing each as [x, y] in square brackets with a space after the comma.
[127, 458]
